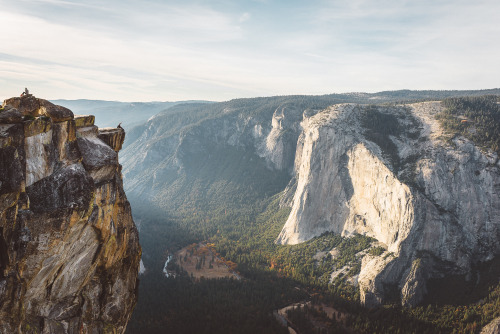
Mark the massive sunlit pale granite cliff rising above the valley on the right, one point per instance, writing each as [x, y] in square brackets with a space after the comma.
[435, 205]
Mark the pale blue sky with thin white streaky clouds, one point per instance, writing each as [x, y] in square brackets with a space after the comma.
[153, 50]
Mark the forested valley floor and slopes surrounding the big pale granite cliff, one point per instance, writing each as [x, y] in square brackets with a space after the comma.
[214, 173]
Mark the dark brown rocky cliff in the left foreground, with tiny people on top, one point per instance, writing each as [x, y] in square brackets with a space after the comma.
[69, 249]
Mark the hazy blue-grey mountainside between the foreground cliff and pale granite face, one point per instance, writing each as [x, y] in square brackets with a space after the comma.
[189, 153]
